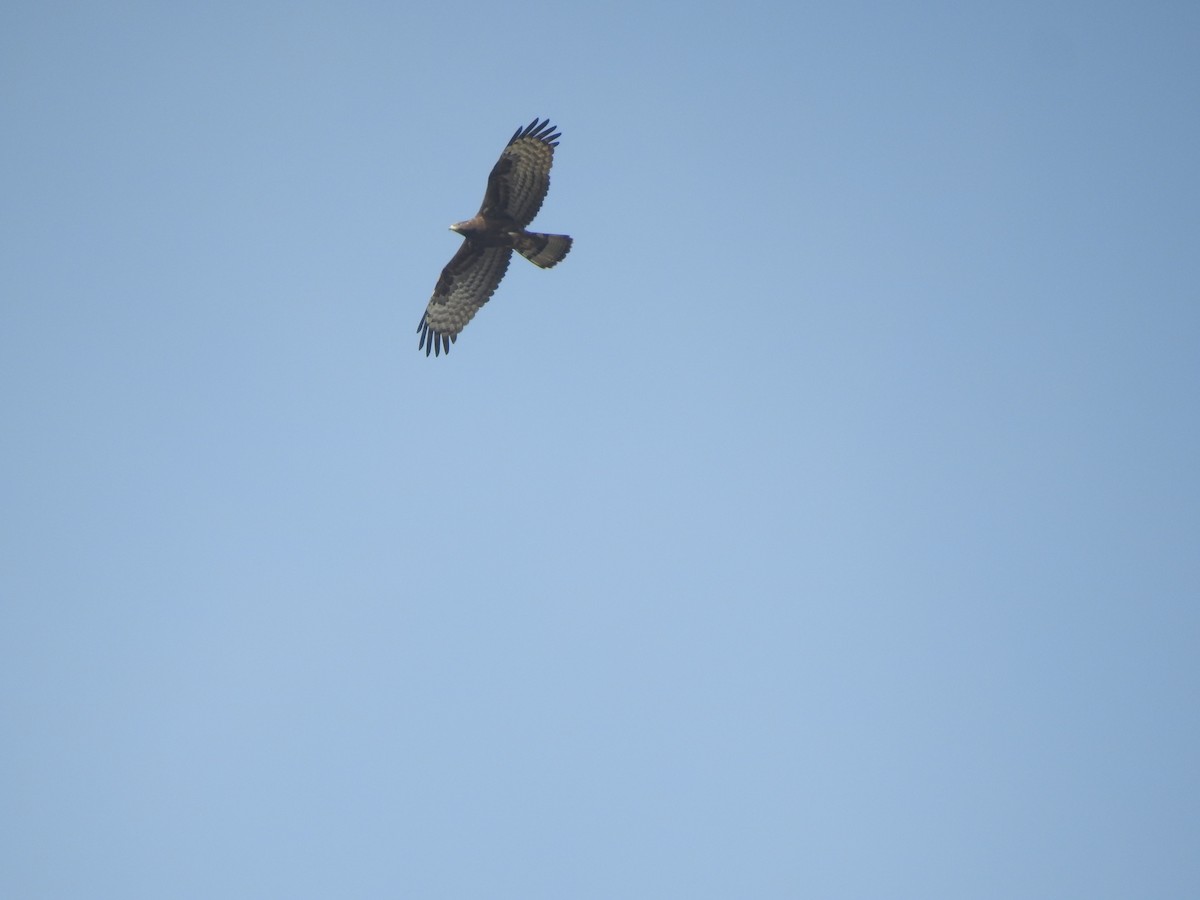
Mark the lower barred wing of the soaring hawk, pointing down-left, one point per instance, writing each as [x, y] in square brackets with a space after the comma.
[466, 285]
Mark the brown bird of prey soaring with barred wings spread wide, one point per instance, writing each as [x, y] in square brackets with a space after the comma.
[515, 190]
